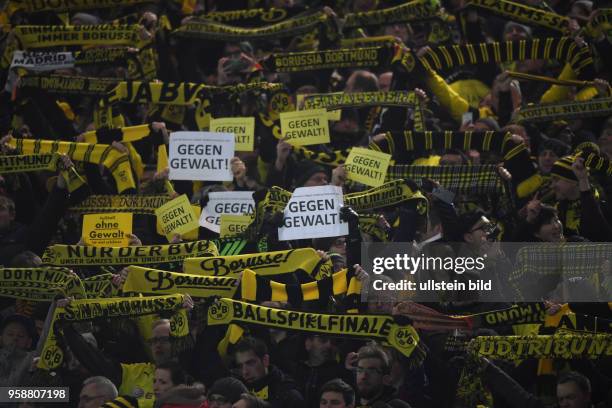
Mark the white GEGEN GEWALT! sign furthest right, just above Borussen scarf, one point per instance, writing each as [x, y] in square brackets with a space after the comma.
[313, 212]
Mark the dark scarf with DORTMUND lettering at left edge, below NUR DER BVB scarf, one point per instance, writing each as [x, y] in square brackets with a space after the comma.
[40, 284]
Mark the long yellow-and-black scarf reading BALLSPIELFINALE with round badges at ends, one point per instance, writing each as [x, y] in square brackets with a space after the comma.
[402, 337]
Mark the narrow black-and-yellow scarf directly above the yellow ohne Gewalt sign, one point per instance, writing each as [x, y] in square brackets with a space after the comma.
[136, 204]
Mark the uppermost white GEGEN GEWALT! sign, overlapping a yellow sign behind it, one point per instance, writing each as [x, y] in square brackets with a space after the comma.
[201, 156]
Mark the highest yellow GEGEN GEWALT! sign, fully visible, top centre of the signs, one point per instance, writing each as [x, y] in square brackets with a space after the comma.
[302, 128]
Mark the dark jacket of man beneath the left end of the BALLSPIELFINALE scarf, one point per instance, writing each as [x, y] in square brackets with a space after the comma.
[282, 391]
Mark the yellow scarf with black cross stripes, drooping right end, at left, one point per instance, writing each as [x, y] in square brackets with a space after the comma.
[118, 163]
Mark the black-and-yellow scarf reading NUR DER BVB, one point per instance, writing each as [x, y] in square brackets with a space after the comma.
[76, 255]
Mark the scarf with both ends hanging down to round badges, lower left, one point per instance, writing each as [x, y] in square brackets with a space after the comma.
[83, 310]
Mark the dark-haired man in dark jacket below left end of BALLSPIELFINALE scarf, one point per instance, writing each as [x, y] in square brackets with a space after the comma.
[263, 379]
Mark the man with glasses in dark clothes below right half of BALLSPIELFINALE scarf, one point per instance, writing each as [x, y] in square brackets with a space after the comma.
[373, 378]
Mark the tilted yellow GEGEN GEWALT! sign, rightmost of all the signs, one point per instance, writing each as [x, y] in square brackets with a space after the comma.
[367, 166]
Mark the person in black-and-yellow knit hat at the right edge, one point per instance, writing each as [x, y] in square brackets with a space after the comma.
[579, 210]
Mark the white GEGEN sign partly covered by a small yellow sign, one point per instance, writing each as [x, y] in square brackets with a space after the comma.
[226, 202]
